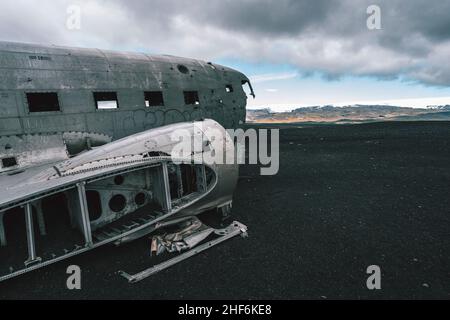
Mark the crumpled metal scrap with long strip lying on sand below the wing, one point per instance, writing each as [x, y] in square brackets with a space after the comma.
[191, 236]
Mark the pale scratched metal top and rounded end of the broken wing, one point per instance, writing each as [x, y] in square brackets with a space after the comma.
[123, 153]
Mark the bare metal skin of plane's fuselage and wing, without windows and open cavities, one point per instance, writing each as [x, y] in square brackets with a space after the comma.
[62, 151]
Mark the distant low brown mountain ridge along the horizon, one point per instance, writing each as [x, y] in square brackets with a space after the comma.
[349, 114]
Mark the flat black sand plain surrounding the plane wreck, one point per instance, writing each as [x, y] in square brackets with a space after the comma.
[346, 197]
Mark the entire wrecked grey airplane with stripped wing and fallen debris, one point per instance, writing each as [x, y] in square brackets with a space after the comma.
[88, 132]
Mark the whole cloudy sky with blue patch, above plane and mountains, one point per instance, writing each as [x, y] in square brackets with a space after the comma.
[296, 52]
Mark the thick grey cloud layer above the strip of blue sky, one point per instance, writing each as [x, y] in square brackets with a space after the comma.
[329, 37]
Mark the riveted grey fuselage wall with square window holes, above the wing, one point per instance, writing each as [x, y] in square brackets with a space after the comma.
[74, 74]
